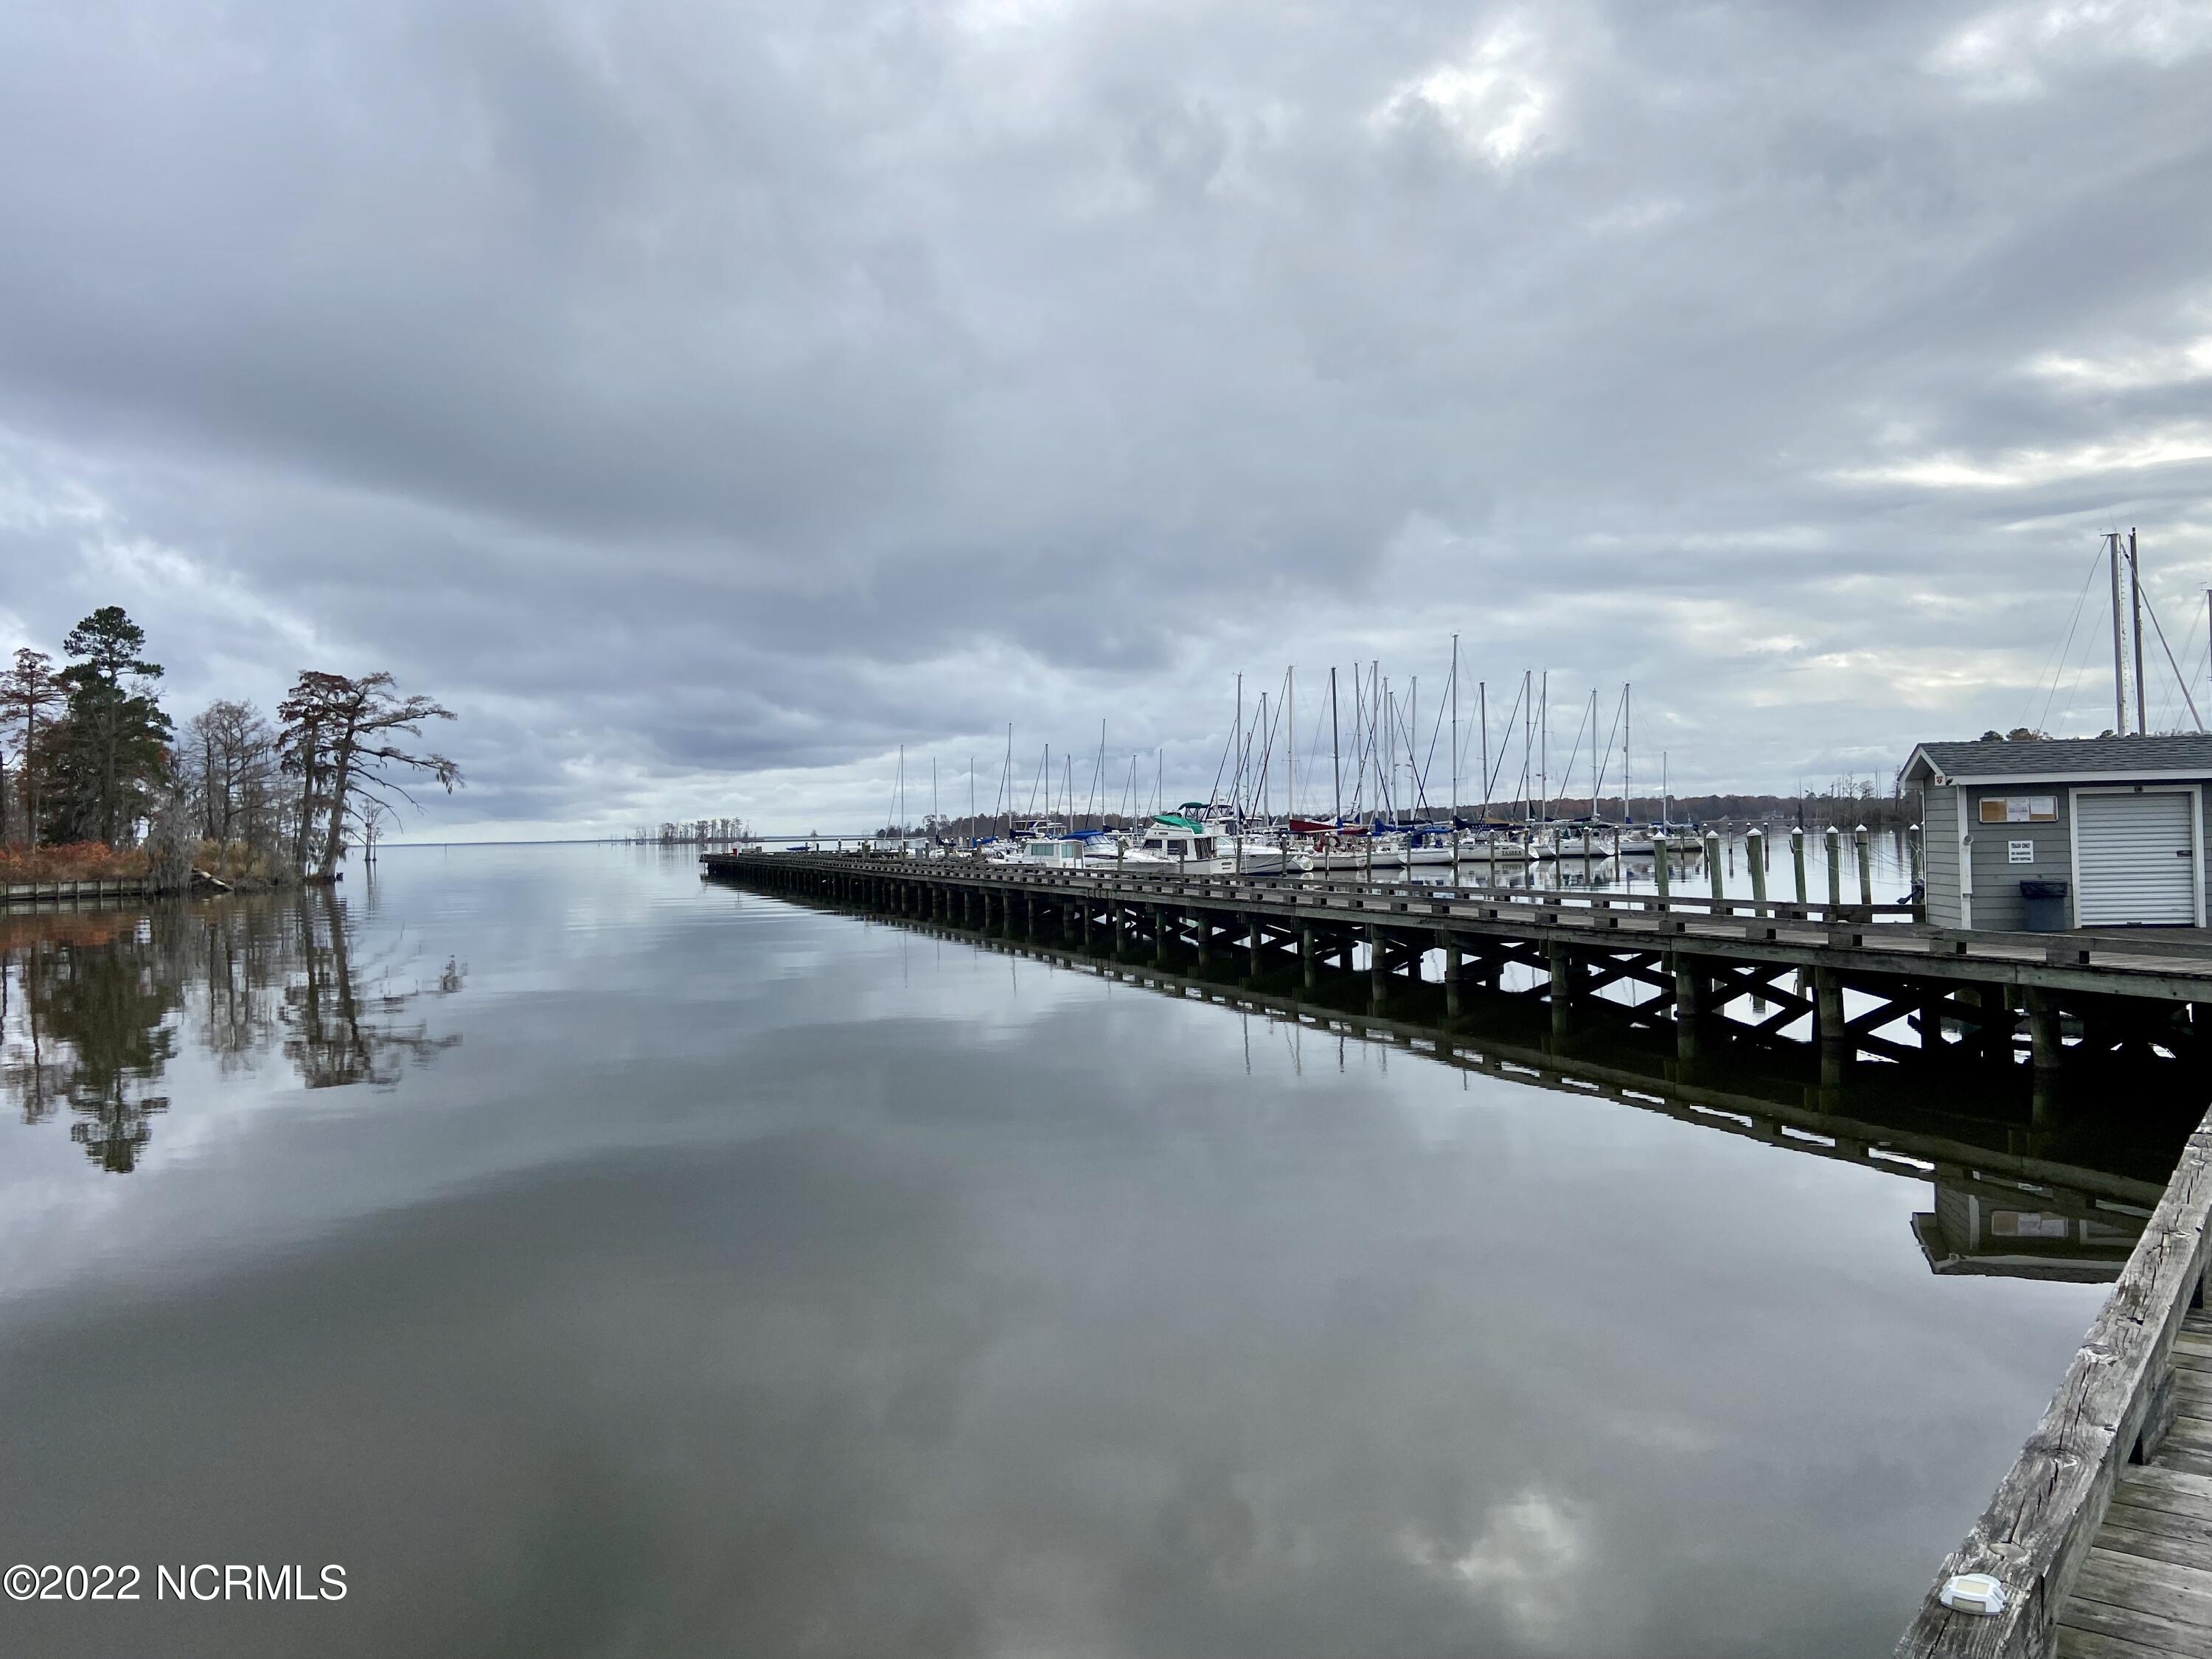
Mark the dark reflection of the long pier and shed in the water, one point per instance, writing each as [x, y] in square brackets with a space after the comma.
[1992, 1178]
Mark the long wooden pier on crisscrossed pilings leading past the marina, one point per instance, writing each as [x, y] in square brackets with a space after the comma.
[1704, 970]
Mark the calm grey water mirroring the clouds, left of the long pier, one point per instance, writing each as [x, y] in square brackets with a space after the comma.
[598, 1264]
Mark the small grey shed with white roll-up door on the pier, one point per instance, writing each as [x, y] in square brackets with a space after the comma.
[2065, 833]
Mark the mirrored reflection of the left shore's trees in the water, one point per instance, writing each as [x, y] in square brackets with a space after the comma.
[94, 1008]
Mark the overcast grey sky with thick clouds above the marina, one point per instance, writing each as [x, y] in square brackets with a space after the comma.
[707, 397]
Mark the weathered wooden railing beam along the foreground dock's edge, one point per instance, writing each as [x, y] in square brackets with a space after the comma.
[2114, 1408]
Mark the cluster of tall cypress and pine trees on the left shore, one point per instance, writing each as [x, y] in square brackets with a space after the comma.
[92, 764]
